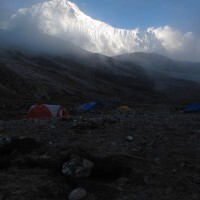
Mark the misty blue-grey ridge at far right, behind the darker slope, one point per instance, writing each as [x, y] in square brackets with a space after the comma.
[163, 65]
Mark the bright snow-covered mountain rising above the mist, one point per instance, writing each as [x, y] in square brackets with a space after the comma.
[63, 19]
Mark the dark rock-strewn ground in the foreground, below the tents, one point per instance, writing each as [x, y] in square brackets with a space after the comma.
[141, 154]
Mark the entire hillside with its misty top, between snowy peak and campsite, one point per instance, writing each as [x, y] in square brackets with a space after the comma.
[48, 69]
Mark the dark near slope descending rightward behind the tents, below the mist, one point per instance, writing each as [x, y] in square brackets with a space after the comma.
[66, 79]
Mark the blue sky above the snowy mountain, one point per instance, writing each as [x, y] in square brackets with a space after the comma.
[183, 15]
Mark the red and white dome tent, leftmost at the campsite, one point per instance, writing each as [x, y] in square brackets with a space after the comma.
[44, 111]
